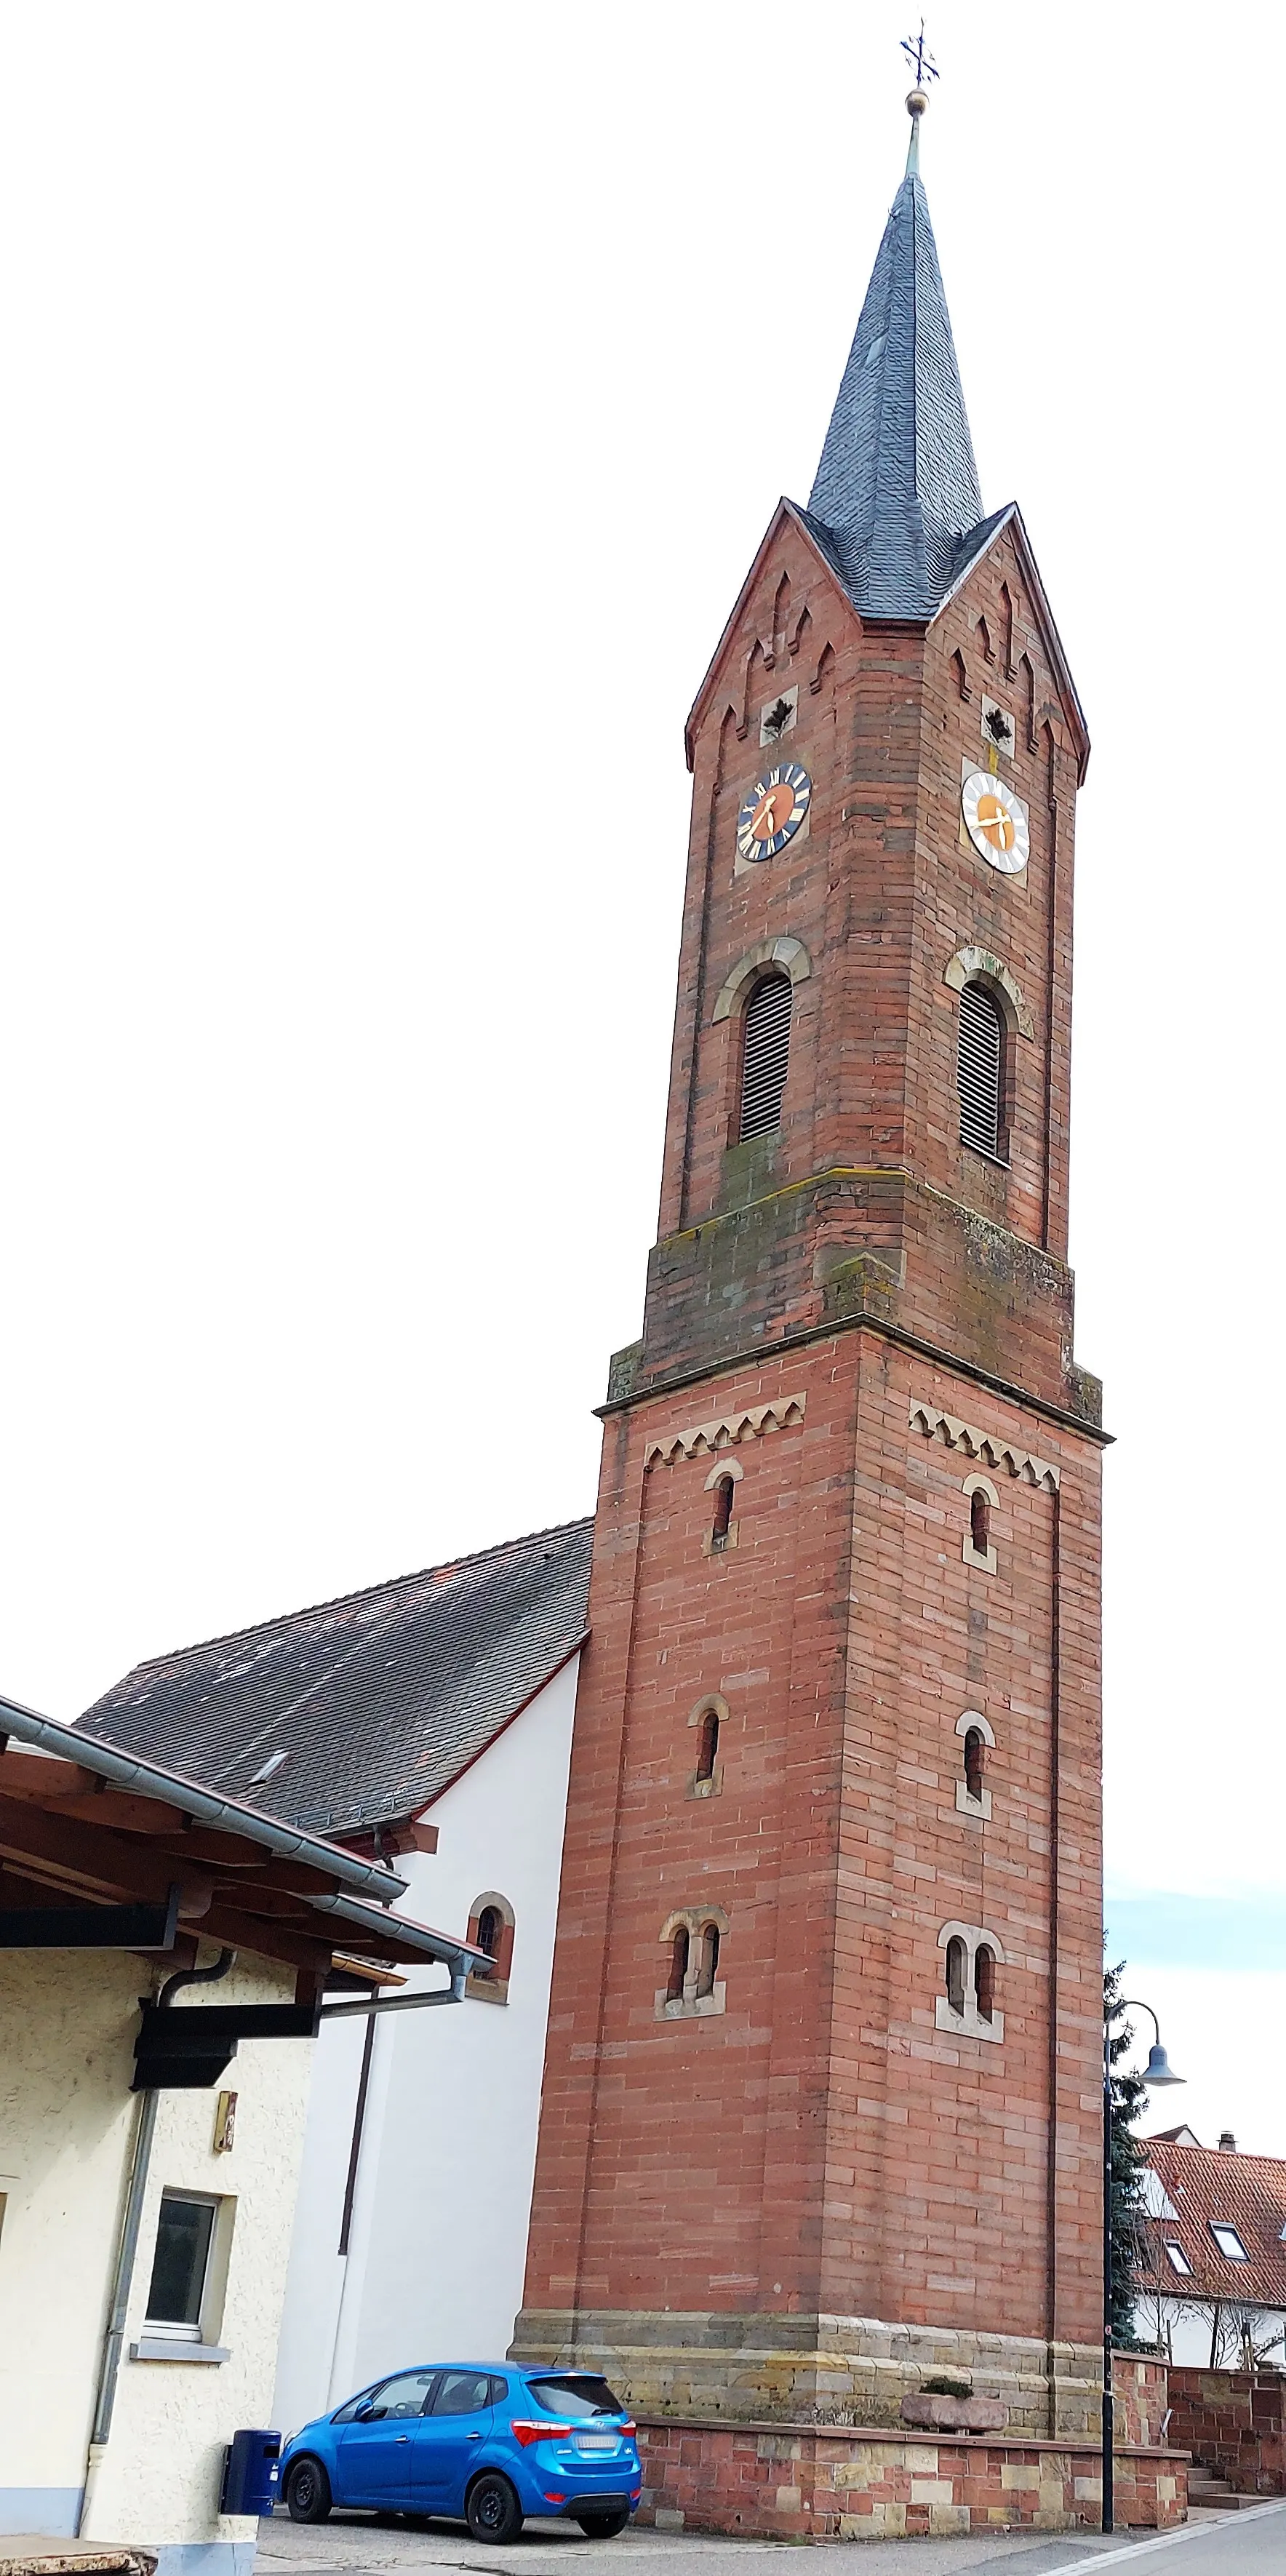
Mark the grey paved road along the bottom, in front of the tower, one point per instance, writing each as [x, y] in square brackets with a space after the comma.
[354, 2546]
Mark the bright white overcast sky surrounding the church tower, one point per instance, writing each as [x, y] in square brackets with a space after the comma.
[383, 442]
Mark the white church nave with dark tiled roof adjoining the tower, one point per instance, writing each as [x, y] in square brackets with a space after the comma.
[427, 1722]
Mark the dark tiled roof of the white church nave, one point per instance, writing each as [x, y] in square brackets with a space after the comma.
[378, 1701]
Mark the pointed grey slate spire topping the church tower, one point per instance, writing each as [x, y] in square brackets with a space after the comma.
[898, 483]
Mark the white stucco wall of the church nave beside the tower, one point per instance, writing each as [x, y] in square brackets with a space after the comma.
[450, 2139]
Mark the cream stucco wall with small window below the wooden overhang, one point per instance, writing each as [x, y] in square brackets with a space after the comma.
[66, 2139]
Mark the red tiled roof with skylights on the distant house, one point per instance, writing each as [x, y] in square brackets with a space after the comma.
[1246, 2193]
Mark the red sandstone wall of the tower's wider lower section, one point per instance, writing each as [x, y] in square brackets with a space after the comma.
[823, 2147]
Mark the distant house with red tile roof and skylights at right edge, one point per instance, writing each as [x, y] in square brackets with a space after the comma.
[1213, 2253]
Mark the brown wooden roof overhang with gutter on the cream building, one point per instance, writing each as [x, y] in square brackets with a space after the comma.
[107, 1851]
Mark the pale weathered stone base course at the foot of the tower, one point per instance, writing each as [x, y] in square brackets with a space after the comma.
[728, 2369]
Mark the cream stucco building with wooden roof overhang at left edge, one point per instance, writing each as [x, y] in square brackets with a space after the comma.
[166, 1962]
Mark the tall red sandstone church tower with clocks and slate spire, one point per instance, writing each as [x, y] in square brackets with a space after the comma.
[823, 2080]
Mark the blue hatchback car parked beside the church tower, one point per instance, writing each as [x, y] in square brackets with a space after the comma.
[473, 2441]
